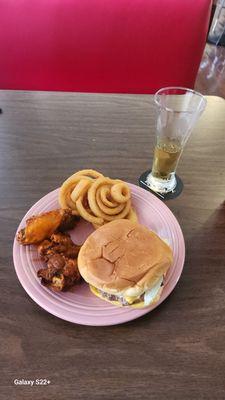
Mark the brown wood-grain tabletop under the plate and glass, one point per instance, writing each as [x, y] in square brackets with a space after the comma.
[175, 352]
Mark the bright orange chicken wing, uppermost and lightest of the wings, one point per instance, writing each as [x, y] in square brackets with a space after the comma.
[42, 226]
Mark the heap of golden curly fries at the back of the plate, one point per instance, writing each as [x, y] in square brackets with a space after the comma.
[96, 198]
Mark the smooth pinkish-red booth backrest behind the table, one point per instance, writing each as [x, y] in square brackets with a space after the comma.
[123, 46]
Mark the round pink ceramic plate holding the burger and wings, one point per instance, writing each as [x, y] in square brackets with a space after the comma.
[79, 305]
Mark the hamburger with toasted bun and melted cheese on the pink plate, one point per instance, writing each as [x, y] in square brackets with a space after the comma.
[125, 263]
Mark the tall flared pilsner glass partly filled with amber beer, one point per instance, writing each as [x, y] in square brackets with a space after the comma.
[178, 110]
